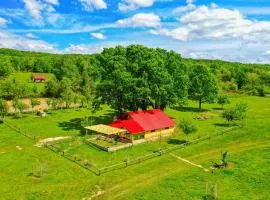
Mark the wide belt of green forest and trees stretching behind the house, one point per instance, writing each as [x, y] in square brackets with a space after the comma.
[131, 78]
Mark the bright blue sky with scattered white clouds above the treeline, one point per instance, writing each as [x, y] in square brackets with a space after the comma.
[234, 30]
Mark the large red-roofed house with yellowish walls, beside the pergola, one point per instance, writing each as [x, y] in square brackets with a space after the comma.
[145, 125]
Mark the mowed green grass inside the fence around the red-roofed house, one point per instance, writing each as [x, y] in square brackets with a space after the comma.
[68, 123]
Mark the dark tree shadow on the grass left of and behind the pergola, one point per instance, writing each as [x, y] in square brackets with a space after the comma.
[76, 123]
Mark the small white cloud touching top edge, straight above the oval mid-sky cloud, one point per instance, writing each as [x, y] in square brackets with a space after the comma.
[127, 5]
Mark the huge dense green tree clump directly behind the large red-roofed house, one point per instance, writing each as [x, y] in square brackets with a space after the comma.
[138, 77]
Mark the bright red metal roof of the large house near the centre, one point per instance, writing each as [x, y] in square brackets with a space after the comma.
[142, 121]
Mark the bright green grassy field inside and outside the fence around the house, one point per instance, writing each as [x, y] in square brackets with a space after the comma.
[159, 178]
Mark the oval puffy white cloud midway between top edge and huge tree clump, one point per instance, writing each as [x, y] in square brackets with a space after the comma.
[141, 20]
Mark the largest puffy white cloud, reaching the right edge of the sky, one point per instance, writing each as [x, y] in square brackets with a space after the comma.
[216, 23]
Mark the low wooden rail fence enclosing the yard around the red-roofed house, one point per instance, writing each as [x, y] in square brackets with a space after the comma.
[127, 162]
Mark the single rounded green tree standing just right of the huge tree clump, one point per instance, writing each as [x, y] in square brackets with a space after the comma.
[203, 85]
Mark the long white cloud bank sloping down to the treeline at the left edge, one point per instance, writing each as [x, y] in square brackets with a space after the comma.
[8, 40]
